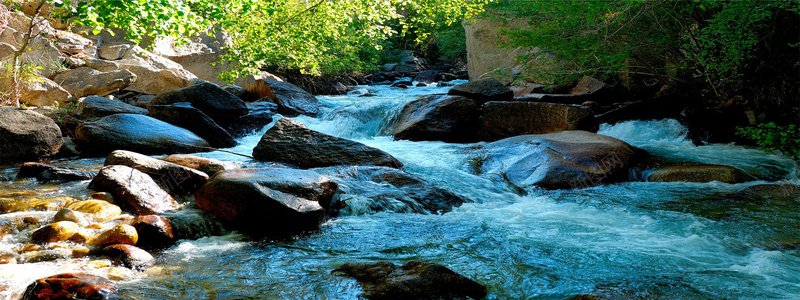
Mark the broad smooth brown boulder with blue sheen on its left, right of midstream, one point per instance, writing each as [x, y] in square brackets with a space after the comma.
[568, 159]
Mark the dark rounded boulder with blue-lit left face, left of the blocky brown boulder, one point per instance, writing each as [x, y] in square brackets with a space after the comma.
[438, 118]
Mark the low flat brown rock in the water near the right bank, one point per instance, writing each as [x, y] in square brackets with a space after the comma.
[698, 173]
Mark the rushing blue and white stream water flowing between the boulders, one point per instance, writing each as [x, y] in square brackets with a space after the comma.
[631, 240]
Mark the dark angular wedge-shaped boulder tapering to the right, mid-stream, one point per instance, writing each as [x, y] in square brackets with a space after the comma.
[291, 142]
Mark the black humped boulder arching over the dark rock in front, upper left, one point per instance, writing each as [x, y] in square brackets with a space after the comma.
[221, 106]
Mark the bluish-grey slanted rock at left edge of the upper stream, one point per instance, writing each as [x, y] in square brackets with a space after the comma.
[292, 100]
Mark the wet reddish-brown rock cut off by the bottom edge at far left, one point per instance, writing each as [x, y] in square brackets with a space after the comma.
[71, 286]
